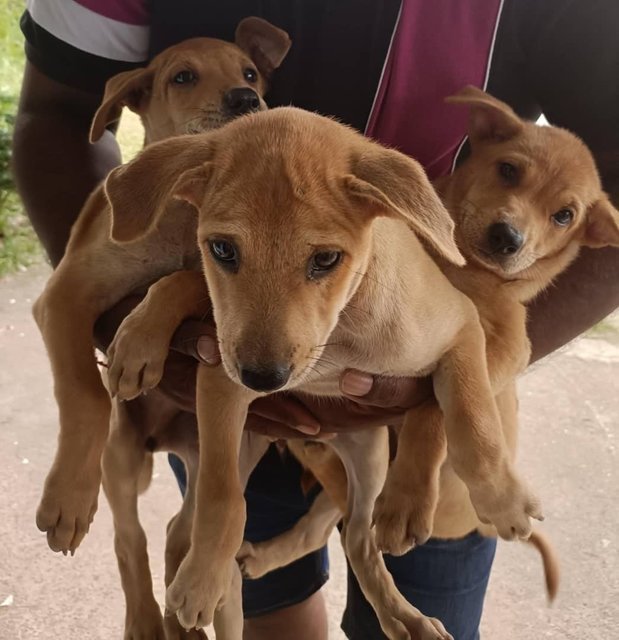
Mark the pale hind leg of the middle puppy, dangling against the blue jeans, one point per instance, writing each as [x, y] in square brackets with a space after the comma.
[365, 455]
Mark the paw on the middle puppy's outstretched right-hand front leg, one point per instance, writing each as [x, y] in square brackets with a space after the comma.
[507, 503]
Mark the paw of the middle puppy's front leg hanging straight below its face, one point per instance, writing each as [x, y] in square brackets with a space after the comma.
[197, 590]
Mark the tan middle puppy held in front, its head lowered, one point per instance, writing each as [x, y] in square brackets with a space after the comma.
[304, 227]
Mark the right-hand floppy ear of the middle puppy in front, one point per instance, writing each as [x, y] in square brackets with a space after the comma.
[389, 183]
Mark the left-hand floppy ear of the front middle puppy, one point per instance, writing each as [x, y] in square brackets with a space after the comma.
[140, 191]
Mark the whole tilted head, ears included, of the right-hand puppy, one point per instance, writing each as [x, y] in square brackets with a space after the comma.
[526, 194]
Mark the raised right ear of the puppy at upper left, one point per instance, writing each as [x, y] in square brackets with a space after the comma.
[265, 44]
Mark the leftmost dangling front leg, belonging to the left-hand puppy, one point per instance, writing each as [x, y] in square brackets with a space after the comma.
[65, 315]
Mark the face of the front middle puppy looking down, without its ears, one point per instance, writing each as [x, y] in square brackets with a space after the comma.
[281, 264]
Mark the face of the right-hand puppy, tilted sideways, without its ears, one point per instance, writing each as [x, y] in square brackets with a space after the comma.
[525, 199]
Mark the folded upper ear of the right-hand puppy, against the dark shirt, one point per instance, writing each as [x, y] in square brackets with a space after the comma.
[489, 119]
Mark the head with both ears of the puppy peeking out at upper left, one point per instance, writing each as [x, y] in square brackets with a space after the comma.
[199, 84]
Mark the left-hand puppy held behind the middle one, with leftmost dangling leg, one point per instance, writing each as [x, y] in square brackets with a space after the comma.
[194, 86]
